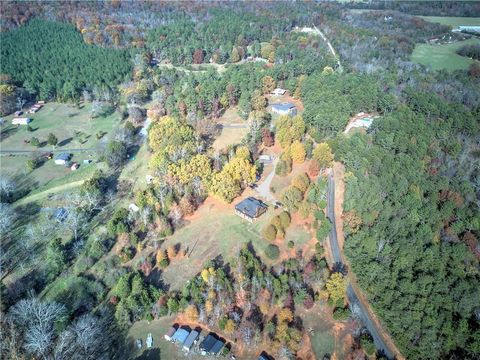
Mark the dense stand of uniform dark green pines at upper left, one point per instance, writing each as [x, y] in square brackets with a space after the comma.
[50, 59]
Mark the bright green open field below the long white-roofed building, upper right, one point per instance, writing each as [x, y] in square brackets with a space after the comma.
[443, 56]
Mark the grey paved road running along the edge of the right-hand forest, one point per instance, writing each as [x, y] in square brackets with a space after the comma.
[355, 304]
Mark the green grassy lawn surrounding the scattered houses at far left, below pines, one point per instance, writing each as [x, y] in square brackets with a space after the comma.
[63, 120]
